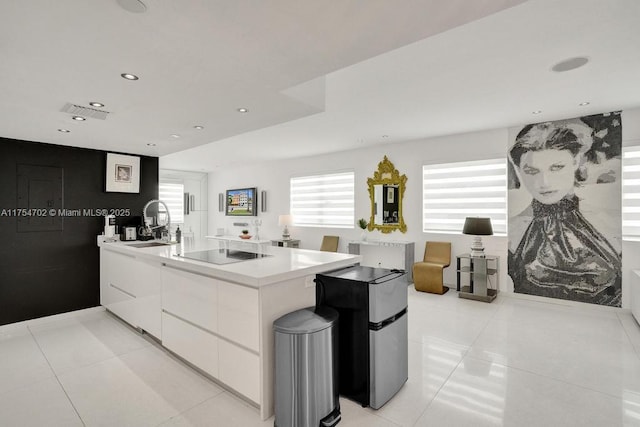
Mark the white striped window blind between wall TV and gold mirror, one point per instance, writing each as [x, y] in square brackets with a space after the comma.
[323, 200]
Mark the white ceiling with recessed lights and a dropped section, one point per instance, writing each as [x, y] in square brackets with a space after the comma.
[317, 77]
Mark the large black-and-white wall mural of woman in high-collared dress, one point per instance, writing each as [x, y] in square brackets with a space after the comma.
[565, 209]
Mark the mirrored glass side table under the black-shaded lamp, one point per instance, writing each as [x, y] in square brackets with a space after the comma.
[475, 274]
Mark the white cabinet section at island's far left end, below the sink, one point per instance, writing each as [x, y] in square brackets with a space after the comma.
[130, 288]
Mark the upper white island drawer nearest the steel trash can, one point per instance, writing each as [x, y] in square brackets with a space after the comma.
[238, 314]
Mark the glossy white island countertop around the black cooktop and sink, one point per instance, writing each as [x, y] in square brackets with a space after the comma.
[284, 264]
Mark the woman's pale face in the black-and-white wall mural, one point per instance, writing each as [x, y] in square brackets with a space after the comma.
[549, 175]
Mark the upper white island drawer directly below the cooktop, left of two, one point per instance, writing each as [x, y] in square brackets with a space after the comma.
[191, 296]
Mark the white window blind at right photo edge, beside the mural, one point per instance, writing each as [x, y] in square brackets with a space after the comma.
[631, 193]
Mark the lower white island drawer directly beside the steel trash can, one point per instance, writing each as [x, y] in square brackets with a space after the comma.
[240, 370]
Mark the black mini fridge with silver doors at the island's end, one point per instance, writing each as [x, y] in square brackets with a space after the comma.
[372, 307]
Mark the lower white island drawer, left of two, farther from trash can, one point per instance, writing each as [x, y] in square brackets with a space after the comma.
[191, 343]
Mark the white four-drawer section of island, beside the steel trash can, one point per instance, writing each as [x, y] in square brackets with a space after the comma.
[213, 324]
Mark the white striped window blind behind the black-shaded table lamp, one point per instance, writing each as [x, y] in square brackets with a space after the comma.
[453, 191]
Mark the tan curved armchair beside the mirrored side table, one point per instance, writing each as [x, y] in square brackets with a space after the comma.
[427, 275]
